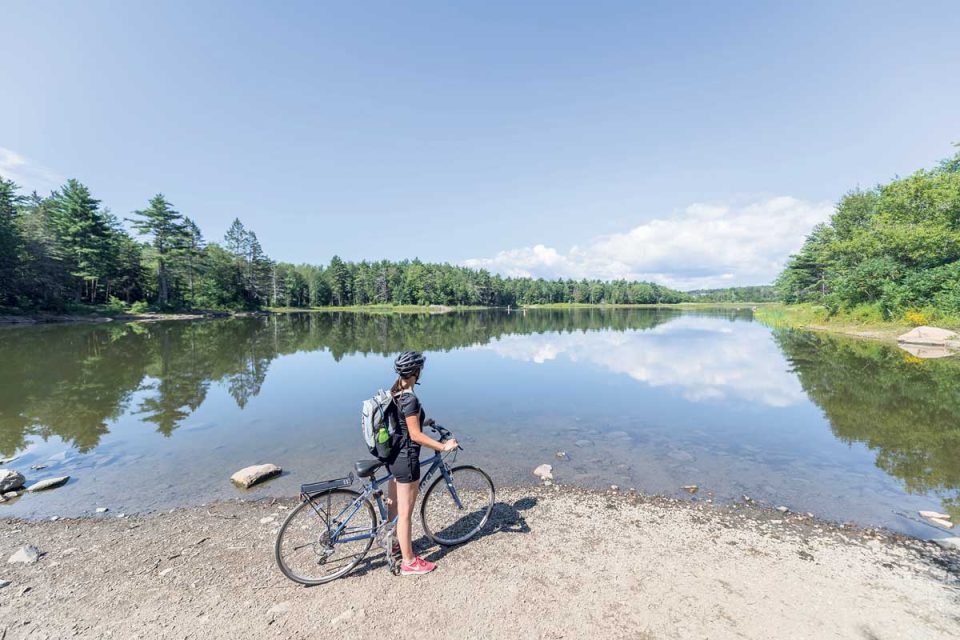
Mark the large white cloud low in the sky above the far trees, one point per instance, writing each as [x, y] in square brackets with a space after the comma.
[701, 246]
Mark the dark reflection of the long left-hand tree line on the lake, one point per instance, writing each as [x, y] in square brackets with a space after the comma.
[72, 381]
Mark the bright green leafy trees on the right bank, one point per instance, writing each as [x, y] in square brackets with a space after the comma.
[894, 248]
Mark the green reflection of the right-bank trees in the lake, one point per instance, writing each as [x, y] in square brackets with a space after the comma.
[905, 409]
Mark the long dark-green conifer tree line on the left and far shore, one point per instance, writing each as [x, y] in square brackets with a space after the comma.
[67, 249]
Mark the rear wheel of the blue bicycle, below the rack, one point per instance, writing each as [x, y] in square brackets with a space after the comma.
[309, 549]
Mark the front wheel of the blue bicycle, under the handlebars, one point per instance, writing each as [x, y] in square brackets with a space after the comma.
[454, 512]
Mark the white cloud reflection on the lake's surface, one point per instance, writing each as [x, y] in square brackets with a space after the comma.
[702, 358]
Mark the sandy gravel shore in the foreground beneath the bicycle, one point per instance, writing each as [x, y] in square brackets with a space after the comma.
[554, 564]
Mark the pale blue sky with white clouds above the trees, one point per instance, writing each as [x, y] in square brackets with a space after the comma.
[690, 143]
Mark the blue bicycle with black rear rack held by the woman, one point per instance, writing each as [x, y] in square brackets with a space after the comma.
[332, 529]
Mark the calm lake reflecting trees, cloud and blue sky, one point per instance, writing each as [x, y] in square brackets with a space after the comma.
[156, 415]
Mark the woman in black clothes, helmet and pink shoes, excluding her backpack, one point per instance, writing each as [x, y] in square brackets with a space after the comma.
[404, 463]
